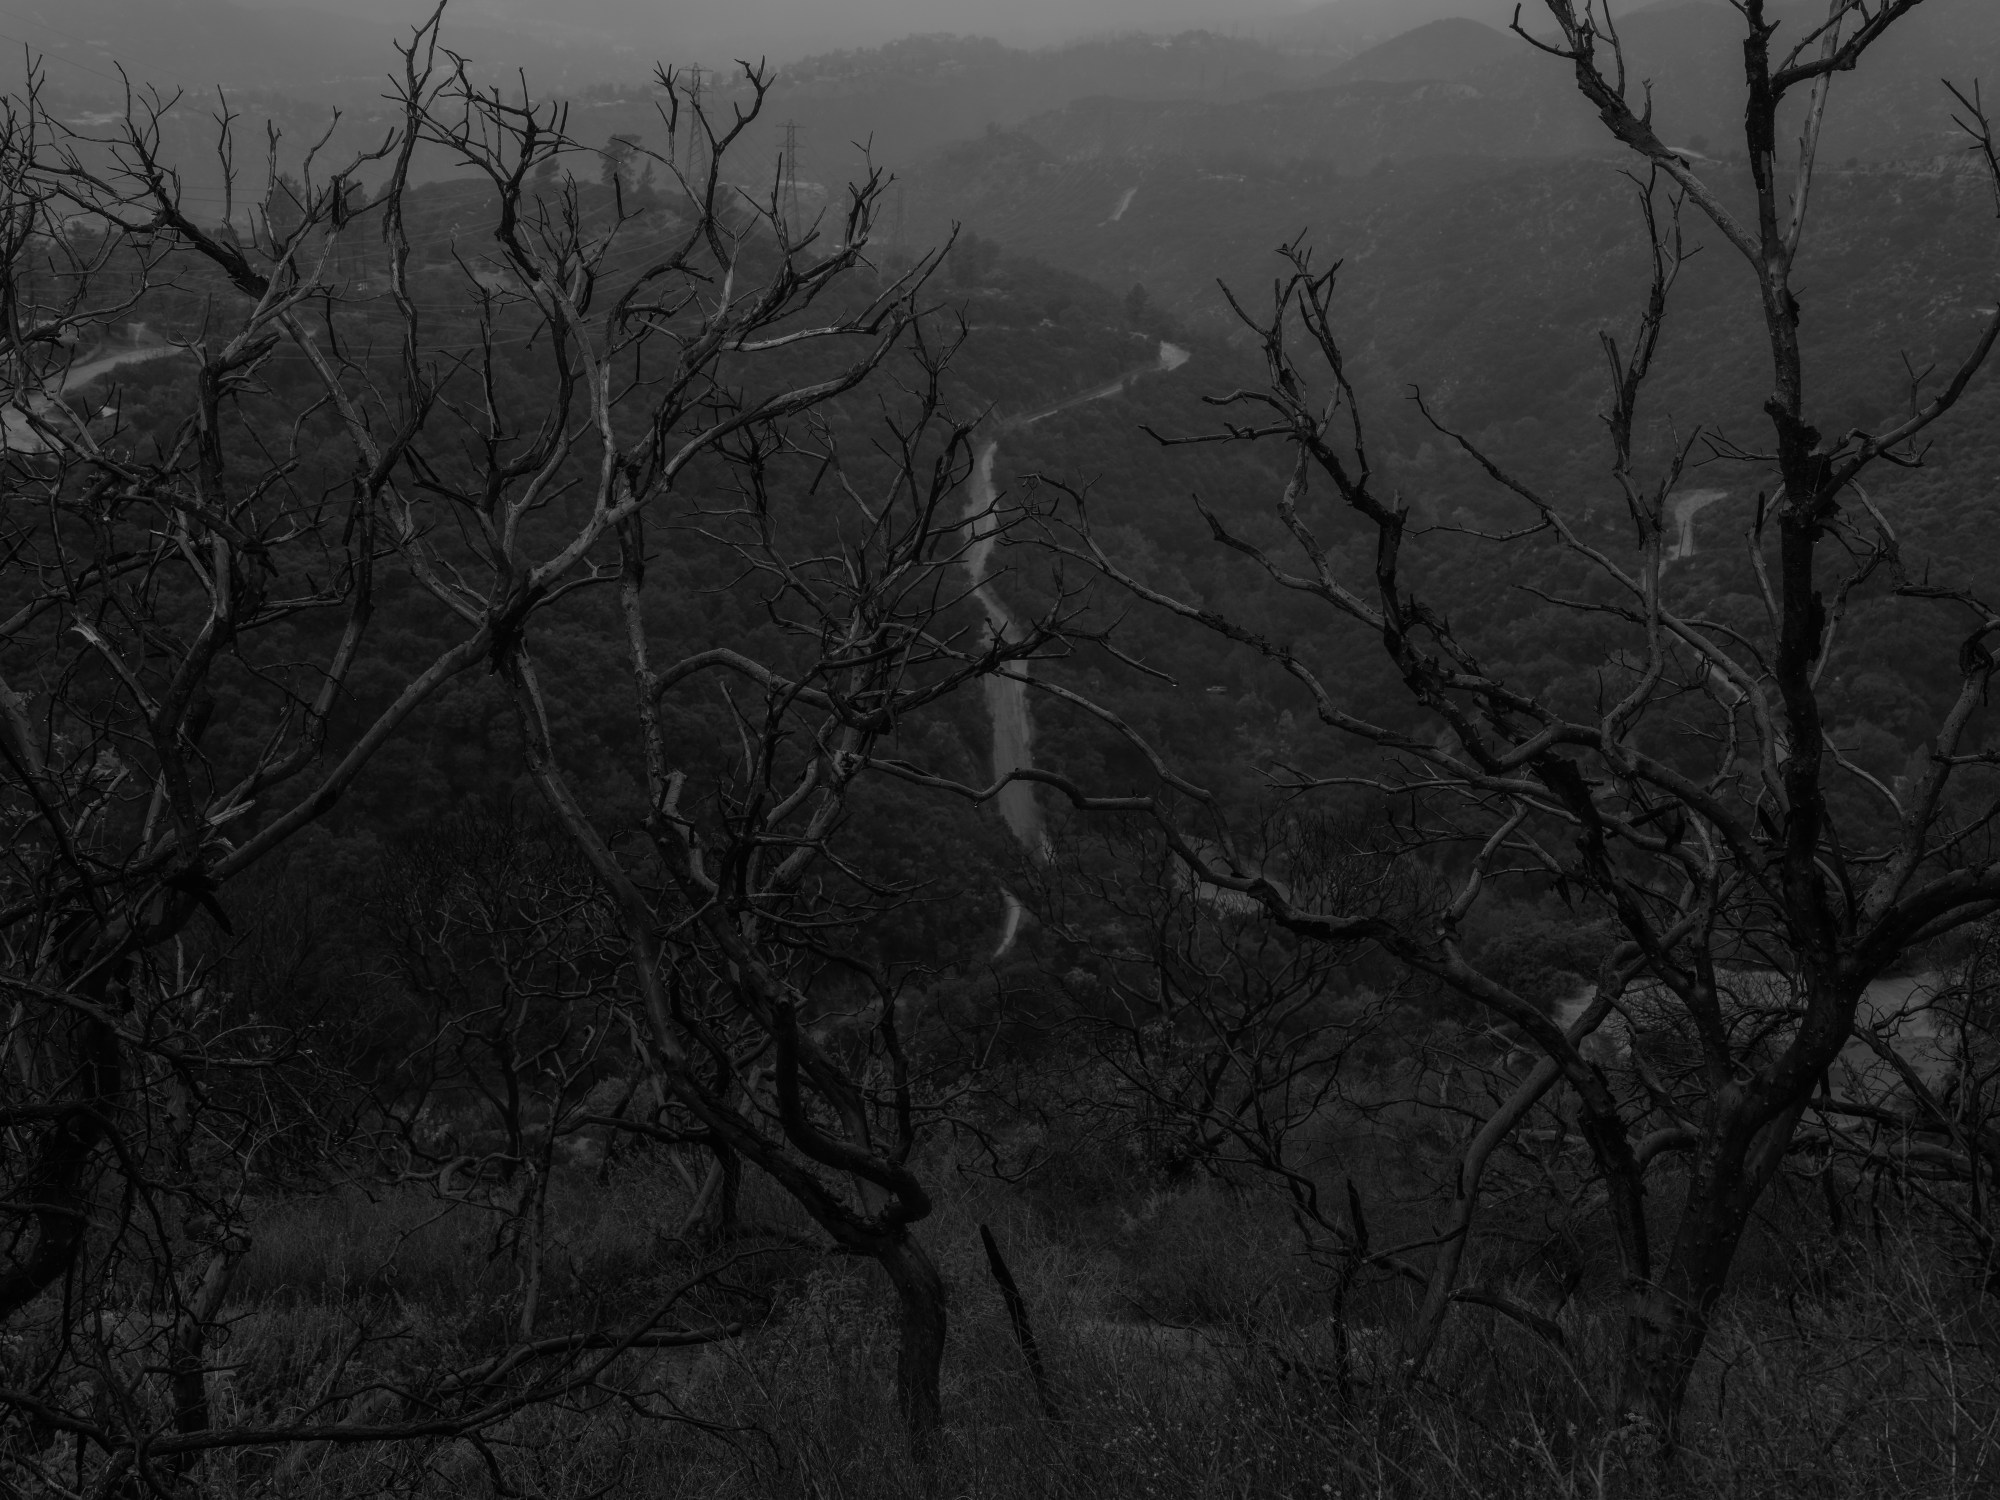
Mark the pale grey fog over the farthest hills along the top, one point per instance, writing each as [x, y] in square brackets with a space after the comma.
[1337, 89]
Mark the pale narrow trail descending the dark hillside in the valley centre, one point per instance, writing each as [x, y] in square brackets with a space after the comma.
[1007, 693]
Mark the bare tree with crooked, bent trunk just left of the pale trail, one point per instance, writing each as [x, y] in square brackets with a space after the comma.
[675, 413]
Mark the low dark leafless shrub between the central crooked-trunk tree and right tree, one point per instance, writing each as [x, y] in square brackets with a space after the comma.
[1221, 1043]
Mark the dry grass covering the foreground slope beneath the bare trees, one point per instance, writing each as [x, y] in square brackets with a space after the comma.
[1197, 1355]
